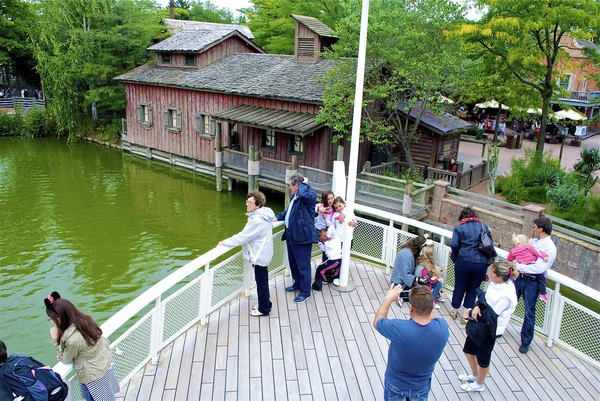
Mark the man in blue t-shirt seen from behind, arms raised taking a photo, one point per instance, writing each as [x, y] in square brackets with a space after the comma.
[415, 345]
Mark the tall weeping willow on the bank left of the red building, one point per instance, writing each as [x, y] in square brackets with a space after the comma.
[80, 45]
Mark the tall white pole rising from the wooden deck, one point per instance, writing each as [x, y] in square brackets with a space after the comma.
[354, 142]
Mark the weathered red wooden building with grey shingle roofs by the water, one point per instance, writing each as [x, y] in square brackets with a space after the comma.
[206, 82]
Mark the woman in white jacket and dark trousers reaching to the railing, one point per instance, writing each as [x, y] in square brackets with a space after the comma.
[256, 240]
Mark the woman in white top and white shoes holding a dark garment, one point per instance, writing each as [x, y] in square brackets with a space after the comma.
[488, 320]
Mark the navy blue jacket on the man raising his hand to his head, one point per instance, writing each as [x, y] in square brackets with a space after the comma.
[301, 228]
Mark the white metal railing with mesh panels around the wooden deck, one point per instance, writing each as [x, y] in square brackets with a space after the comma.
[176, 303]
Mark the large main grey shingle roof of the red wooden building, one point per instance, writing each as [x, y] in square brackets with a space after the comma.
[259, 75]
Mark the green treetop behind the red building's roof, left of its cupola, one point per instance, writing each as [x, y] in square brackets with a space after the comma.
[273, 28]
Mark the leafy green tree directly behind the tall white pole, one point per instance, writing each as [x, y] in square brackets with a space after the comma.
[411, 63]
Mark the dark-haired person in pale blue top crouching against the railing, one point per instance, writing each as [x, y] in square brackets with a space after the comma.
[404, 266]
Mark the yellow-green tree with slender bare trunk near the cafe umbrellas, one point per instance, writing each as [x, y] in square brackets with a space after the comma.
[526, 38]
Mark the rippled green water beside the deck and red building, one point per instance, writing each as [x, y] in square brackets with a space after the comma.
[98, 225]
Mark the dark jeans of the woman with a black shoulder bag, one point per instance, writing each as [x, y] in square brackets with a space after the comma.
[468, 277]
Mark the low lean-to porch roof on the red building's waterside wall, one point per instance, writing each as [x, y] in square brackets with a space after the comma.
[291, 122]
